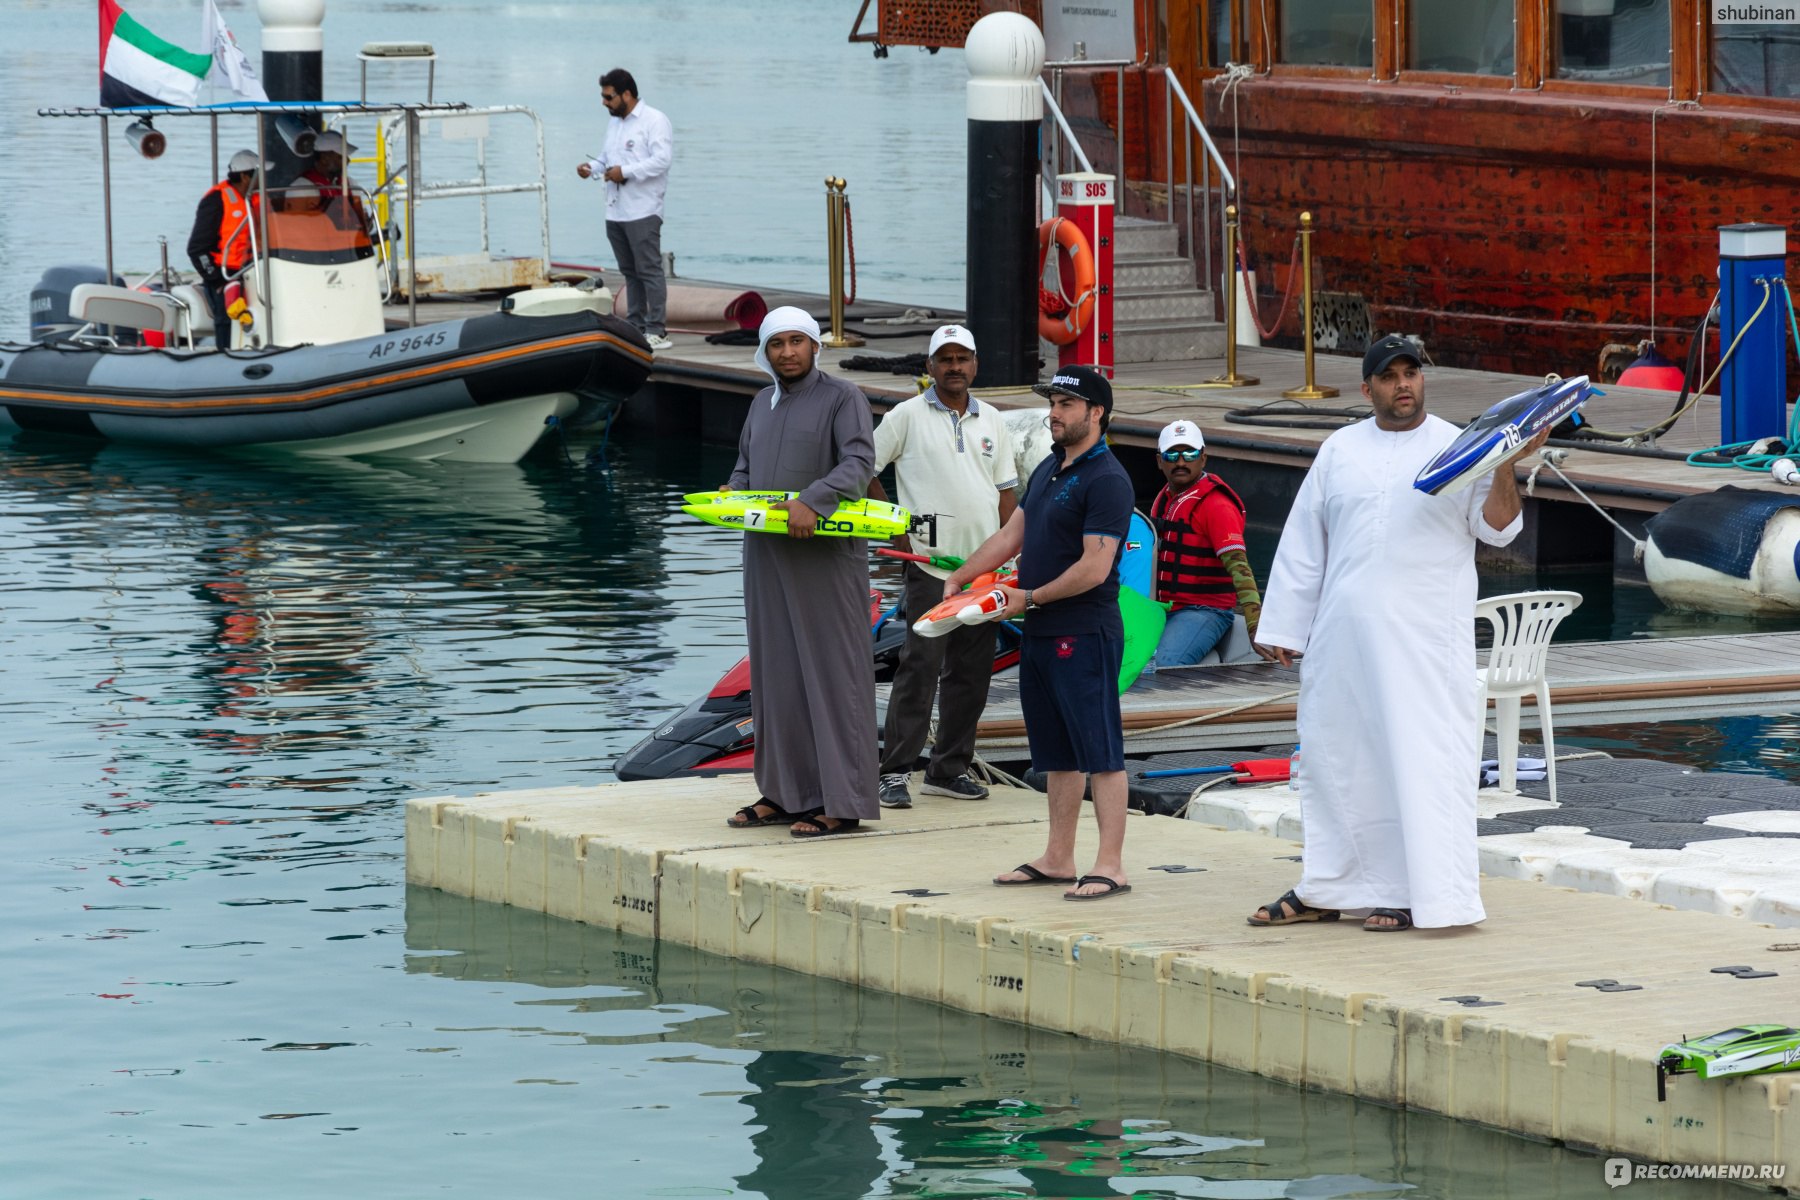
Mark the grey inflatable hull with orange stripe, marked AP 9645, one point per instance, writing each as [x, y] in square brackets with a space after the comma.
[480, 390]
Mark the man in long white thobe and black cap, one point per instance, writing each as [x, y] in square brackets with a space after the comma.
[1374, 584]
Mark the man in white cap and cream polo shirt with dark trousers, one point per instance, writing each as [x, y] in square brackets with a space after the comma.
[951, 458]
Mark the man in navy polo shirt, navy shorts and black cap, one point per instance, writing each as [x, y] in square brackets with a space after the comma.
[1068, 535]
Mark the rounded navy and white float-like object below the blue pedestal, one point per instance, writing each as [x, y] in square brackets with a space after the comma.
[1734, 550]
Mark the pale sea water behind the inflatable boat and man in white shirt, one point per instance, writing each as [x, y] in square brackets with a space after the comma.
[766, 100]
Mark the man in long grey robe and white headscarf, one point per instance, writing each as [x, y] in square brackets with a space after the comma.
[807, 598]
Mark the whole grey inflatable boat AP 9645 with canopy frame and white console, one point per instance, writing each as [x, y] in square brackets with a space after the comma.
[309, 363]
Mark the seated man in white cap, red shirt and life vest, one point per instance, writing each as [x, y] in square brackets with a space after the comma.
[1201, 568]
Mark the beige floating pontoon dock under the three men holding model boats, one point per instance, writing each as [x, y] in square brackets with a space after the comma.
[1545, 1021]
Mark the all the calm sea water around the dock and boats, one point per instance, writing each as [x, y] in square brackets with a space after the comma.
[222, 677]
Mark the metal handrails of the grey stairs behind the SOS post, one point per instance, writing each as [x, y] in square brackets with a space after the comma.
[1194, 208]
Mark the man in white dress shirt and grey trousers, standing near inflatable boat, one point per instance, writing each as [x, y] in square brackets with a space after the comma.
[636, 168]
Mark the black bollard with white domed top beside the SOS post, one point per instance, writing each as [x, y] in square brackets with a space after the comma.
[1005, 55]
